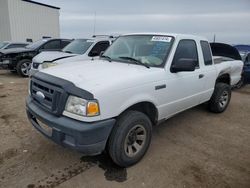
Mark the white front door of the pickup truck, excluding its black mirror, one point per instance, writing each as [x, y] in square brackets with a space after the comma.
[183, 89]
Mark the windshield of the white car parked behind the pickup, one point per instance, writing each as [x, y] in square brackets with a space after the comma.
[78, 46]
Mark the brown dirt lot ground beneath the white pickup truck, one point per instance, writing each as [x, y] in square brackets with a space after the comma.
[193, 149]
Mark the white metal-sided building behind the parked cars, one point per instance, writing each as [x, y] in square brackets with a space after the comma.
[24, 19]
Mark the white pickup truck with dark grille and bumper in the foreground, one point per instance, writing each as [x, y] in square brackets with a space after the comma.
[112, 103]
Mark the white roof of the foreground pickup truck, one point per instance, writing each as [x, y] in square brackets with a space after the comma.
[175, 35]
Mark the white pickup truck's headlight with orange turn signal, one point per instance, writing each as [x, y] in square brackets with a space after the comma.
[82, 107]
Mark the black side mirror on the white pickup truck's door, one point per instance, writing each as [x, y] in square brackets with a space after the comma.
[184, 65]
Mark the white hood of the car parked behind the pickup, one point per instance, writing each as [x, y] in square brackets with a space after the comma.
[51, 56]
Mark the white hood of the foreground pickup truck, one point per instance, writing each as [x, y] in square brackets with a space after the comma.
[102, 75]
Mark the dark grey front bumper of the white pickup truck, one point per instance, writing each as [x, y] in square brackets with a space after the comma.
[88, 138]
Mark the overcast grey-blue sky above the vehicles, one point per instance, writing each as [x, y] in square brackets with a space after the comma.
[229, 20]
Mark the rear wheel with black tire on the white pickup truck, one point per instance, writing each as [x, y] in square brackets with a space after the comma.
[222, 92]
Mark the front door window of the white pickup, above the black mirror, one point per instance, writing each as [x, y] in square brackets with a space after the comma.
[186, 49]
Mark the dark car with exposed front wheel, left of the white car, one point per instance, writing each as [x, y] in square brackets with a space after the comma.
[19, 59]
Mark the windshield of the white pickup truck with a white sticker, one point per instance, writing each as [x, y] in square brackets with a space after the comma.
[151, 50]
